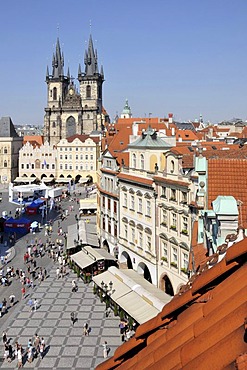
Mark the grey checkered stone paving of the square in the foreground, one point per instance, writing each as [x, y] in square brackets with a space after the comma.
[67, 348]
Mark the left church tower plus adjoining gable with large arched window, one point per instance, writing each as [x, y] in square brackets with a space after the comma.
[63, 114]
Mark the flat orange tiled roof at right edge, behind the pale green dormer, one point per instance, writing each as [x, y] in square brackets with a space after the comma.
[228, 177]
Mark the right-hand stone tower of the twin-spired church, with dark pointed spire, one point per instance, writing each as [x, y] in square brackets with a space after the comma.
[91, 81]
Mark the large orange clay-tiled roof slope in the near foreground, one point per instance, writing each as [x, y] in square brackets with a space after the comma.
[202, 328]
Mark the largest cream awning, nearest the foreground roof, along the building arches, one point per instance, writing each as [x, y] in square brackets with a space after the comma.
[135, 295]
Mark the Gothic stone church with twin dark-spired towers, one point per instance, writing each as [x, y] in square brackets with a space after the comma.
[68, 111]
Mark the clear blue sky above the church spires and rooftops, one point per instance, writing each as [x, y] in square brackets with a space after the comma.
[182, 56]
